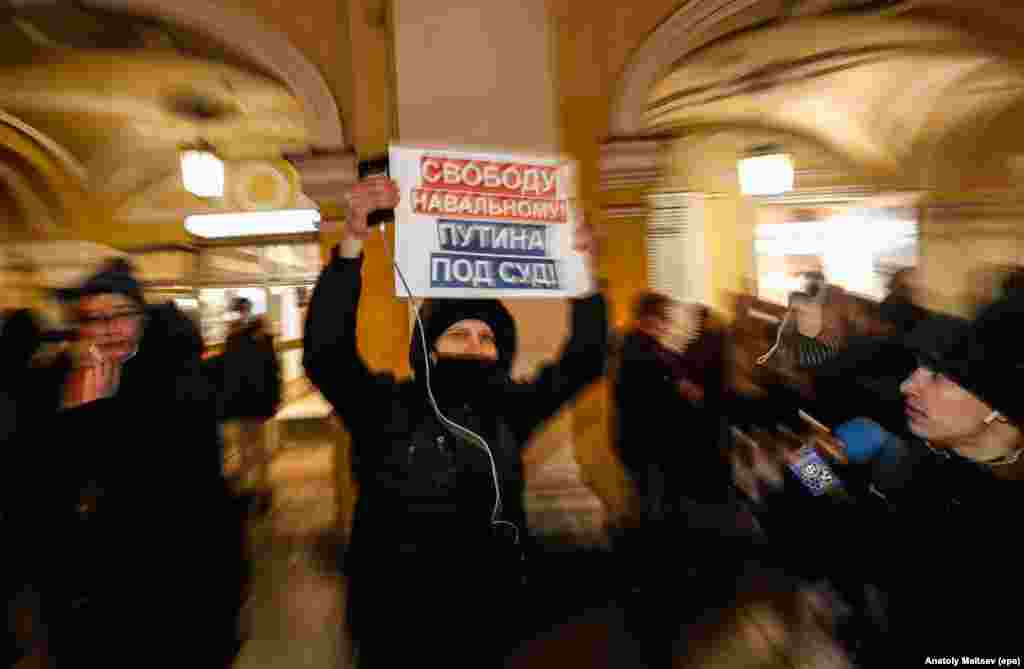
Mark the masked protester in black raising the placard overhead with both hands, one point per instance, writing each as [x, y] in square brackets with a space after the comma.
[434, 567]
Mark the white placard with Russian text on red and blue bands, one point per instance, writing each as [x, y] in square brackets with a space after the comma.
[479, 225]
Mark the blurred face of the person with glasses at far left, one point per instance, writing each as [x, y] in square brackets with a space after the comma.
[113, 323]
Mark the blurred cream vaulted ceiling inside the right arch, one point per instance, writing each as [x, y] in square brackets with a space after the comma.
[892, 88]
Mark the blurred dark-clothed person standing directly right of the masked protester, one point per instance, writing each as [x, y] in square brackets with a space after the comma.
[671, 438]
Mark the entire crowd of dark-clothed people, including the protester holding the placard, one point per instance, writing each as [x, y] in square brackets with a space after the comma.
[864, 469]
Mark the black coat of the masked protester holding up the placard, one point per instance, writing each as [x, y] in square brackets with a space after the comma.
[422, 540]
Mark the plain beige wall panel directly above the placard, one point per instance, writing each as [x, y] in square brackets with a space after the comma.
[473, 73]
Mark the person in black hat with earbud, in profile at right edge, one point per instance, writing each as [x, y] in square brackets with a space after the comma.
[944, 500]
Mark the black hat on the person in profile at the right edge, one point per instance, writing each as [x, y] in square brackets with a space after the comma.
[985, 357]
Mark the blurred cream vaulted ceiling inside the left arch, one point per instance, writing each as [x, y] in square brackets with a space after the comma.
[115, 96]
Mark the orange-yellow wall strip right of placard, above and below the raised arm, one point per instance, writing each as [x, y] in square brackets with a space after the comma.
[593, 45]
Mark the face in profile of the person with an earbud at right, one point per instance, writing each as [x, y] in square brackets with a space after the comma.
[940, 410]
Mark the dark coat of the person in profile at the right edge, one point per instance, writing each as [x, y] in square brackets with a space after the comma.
[935, 548]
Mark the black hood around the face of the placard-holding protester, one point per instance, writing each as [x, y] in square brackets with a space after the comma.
[440, 315]
